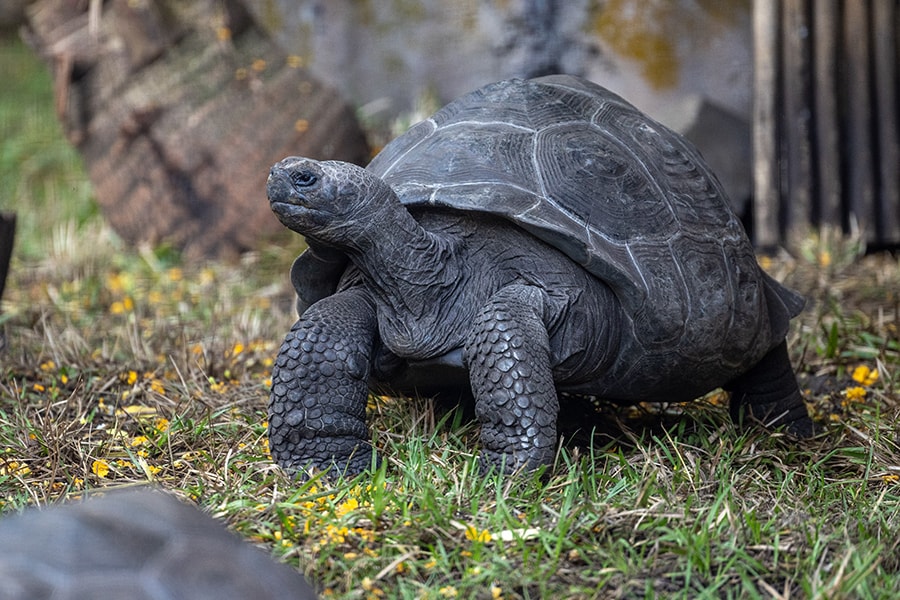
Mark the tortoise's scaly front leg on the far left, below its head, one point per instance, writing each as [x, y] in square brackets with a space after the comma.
[317, 404]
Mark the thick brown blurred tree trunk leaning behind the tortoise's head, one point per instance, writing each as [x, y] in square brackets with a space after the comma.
[179, 109]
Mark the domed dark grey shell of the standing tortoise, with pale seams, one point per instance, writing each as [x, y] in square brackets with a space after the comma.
[622, 195]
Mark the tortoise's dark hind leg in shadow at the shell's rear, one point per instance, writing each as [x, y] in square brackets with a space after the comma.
[769, 390]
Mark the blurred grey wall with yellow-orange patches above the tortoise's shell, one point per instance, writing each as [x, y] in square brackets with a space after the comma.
[650, 52]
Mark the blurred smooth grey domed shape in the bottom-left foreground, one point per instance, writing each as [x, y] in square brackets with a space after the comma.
[139, 544]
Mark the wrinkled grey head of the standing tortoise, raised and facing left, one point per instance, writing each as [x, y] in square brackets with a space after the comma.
[328, 200]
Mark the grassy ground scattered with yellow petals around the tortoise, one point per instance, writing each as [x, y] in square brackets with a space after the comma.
[127, 367]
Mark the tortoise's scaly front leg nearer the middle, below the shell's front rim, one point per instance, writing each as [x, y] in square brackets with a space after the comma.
[508, 356]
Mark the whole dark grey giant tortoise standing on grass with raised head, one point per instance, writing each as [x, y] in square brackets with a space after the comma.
[531, 240]
